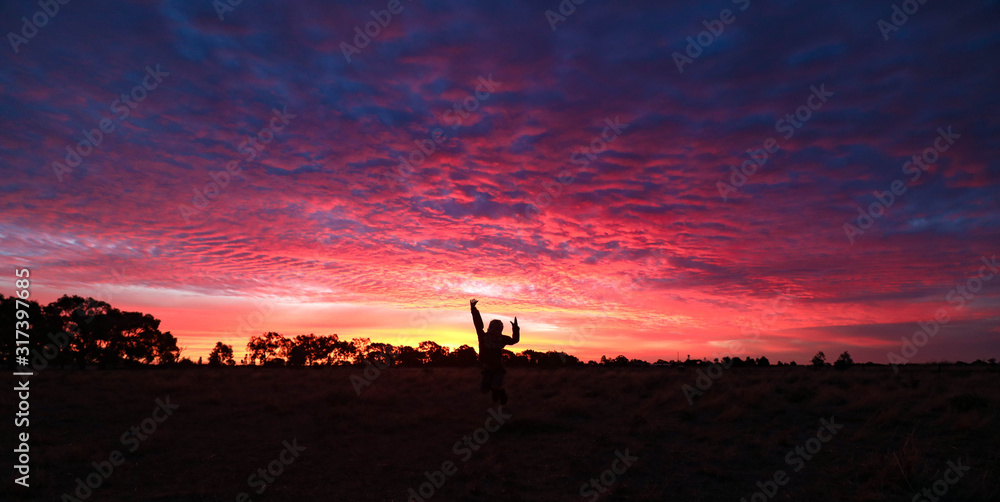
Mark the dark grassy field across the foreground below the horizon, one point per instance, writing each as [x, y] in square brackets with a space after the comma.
[898, 435]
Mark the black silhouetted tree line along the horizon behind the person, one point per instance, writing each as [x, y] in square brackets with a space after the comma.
[81, 332]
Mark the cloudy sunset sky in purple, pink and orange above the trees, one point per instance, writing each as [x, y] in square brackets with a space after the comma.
[642, 178]
